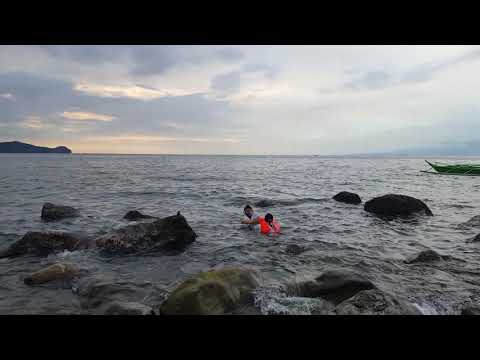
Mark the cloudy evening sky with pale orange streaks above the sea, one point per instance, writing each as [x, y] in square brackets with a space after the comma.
[239, 99]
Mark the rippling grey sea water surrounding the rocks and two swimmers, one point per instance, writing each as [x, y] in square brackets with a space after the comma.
[211, 191]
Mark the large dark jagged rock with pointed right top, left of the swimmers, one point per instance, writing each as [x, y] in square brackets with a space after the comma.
[170, 236]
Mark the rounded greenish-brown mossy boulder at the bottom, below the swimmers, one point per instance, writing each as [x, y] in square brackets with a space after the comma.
[213, 292]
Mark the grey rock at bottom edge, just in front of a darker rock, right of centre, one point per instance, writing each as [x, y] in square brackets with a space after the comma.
[375, 302]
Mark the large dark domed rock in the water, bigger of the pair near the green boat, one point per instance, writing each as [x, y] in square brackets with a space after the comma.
[396, 205]
